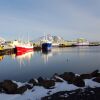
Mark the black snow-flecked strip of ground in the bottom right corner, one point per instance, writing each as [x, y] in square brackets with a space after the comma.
[86, 94]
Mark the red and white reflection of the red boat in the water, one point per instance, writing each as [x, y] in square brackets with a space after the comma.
[23, 57]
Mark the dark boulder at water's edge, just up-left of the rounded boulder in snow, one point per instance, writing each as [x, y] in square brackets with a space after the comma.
[68, 76]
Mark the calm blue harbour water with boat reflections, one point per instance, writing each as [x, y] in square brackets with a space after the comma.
[34, 64]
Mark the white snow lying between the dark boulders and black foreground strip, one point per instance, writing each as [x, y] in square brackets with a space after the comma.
[37, 92]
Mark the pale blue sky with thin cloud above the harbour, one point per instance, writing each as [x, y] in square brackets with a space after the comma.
[67, 18]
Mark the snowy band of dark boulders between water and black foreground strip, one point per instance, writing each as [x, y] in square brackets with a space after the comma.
[36, 89]
